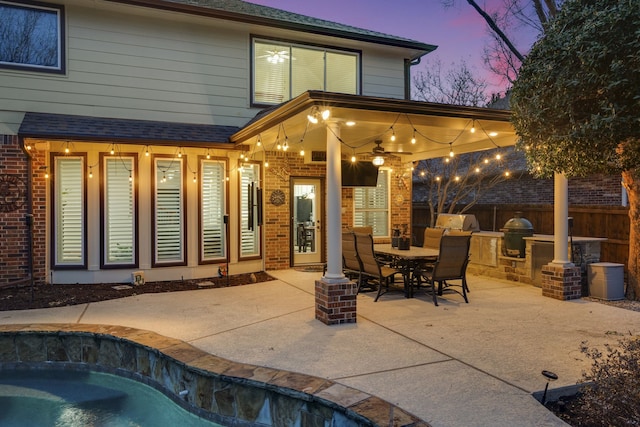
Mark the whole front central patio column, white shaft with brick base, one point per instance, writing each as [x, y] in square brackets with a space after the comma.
[335, 294]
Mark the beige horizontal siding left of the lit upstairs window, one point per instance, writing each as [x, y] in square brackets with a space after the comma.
[142, 68]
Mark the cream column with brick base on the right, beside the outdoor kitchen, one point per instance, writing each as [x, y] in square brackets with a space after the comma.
[560, 278]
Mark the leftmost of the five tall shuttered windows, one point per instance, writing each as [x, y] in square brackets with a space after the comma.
[69, 212]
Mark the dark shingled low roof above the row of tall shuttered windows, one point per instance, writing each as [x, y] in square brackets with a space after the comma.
[63, 126]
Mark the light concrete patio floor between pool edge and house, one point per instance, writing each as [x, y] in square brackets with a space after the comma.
[456, 364]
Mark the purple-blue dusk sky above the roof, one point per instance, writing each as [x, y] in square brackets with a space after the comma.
[459, 32]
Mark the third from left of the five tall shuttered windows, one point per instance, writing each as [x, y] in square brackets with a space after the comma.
[169, 212]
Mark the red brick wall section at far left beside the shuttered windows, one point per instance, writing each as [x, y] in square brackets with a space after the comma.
[14, 244]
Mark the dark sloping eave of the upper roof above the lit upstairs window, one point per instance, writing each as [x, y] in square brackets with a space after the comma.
[423, 48]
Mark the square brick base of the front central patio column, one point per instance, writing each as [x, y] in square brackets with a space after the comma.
[336, 302]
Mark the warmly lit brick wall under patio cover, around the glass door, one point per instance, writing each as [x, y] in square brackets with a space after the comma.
[277, 219]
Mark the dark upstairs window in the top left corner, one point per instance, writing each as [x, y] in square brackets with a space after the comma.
[32, 36]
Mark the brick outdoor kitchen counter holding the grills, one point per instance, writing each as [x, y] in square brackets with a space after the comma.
[487, 256]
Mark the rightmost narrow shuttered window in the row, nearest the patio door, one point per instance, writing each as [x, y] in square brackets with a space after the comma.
[249, 230]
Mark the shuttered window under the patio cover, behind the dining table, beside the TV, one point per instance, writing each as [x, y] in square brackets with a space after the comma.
[371, 205]
